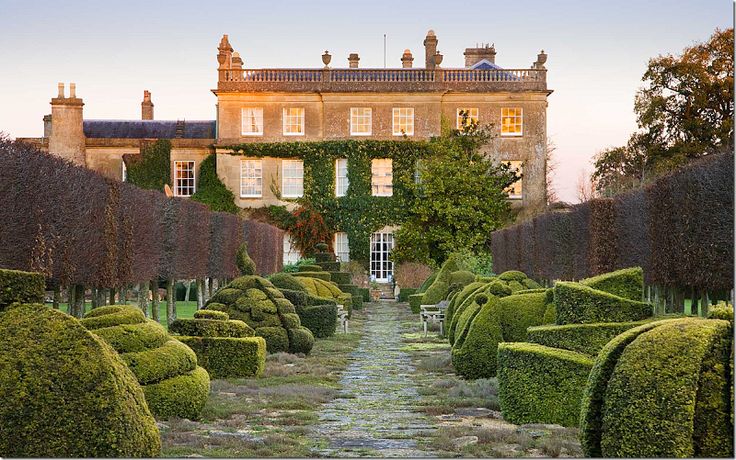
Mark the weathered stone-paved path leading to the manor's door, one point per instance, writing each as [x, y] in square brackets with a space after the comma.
[374, 414]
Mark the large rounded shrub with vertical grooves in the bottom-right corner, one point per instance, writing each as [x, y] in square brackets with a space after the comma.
[662, 390]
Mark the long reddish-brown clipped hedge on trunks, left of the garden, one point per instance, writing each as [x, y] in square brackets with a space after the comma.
[104, 233]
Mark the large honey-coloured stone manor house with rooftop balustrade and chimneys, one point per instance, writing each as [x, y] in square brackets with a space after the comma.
[323, 103]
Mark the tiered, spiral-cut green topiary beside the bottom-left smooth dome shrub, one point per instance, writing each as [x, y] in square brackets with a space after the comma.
[174, 385]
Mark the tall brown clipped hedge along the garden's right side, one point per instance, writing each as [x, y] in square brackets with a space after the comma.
[679, 229]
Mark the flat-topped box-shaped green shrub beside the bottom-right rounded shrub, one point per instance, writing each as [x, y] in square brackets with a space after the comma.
[539, 384]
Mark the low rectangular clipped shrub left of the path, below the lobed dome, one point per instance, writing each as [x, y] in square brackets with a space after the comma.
[229, 357]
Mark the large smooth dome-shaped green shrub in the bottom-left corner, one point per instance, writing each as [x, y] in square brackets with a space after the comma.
[66, 393]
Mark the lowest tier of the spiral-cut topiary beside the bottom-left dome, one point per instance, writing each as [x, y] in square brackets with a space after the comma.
[183, 396]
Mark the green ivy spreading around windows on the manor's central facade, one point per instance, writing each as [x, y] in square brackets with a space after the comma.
[358, 213]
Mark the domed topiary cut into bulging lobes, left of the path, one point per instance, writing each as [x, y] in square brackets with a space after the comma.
[257, 302]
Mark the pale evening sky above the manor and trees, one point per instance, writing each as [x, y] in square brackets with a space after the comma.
[598, 52]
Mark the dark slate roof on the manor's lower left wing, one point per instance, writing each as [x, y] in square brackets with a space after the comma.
[148, 129]
